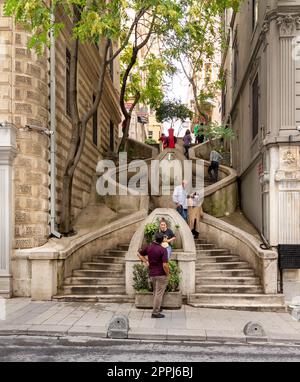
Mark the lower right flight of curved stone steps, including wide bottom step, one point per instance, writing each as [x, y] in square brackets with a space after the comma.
[223, 281]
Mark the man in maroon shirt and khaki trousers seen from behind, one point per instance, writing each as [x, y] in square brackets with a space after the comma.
[156, 257]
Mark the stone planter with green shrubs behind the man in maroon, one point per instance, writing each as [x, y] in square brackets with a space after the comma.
[144, 292]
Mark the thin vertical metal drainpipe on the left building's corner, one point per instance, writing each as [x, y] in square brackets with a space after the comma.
[54, 232]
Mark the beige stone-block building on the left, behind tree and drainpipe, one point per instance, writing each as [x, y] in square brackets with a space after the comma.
[25, 101]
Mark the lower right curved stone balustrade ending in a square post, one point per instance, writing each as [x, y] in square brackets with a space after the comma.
[224, 235]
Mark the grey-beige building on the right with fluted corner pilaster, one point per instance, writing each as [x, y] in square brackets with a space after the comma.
[261, 101]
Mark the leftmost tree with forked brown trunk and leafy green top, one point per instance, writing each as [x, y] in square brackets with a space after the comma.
[93, 21]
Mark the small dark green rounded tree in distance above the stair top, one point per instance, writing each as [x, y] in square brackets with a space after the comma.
[173, 112]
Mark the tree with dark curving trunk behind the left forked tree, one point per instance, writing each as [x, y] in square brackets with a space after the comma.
[161, 17]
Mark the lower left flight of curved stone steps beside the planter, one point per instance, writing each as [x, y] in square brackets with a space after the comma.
[100, 280]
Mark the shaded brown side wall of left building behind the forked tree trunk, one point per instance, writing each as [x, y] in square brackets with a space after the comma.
[108, 111]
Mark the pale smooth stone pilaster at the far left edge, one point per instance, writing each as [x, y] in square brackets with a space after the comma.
[8, 151]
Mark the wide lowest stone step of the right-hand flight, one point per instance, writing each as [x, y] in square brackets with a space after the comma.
[242, 299]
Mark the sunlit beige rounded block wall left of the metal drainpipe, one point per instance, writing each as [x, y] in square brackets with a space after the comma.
[24, 100]
